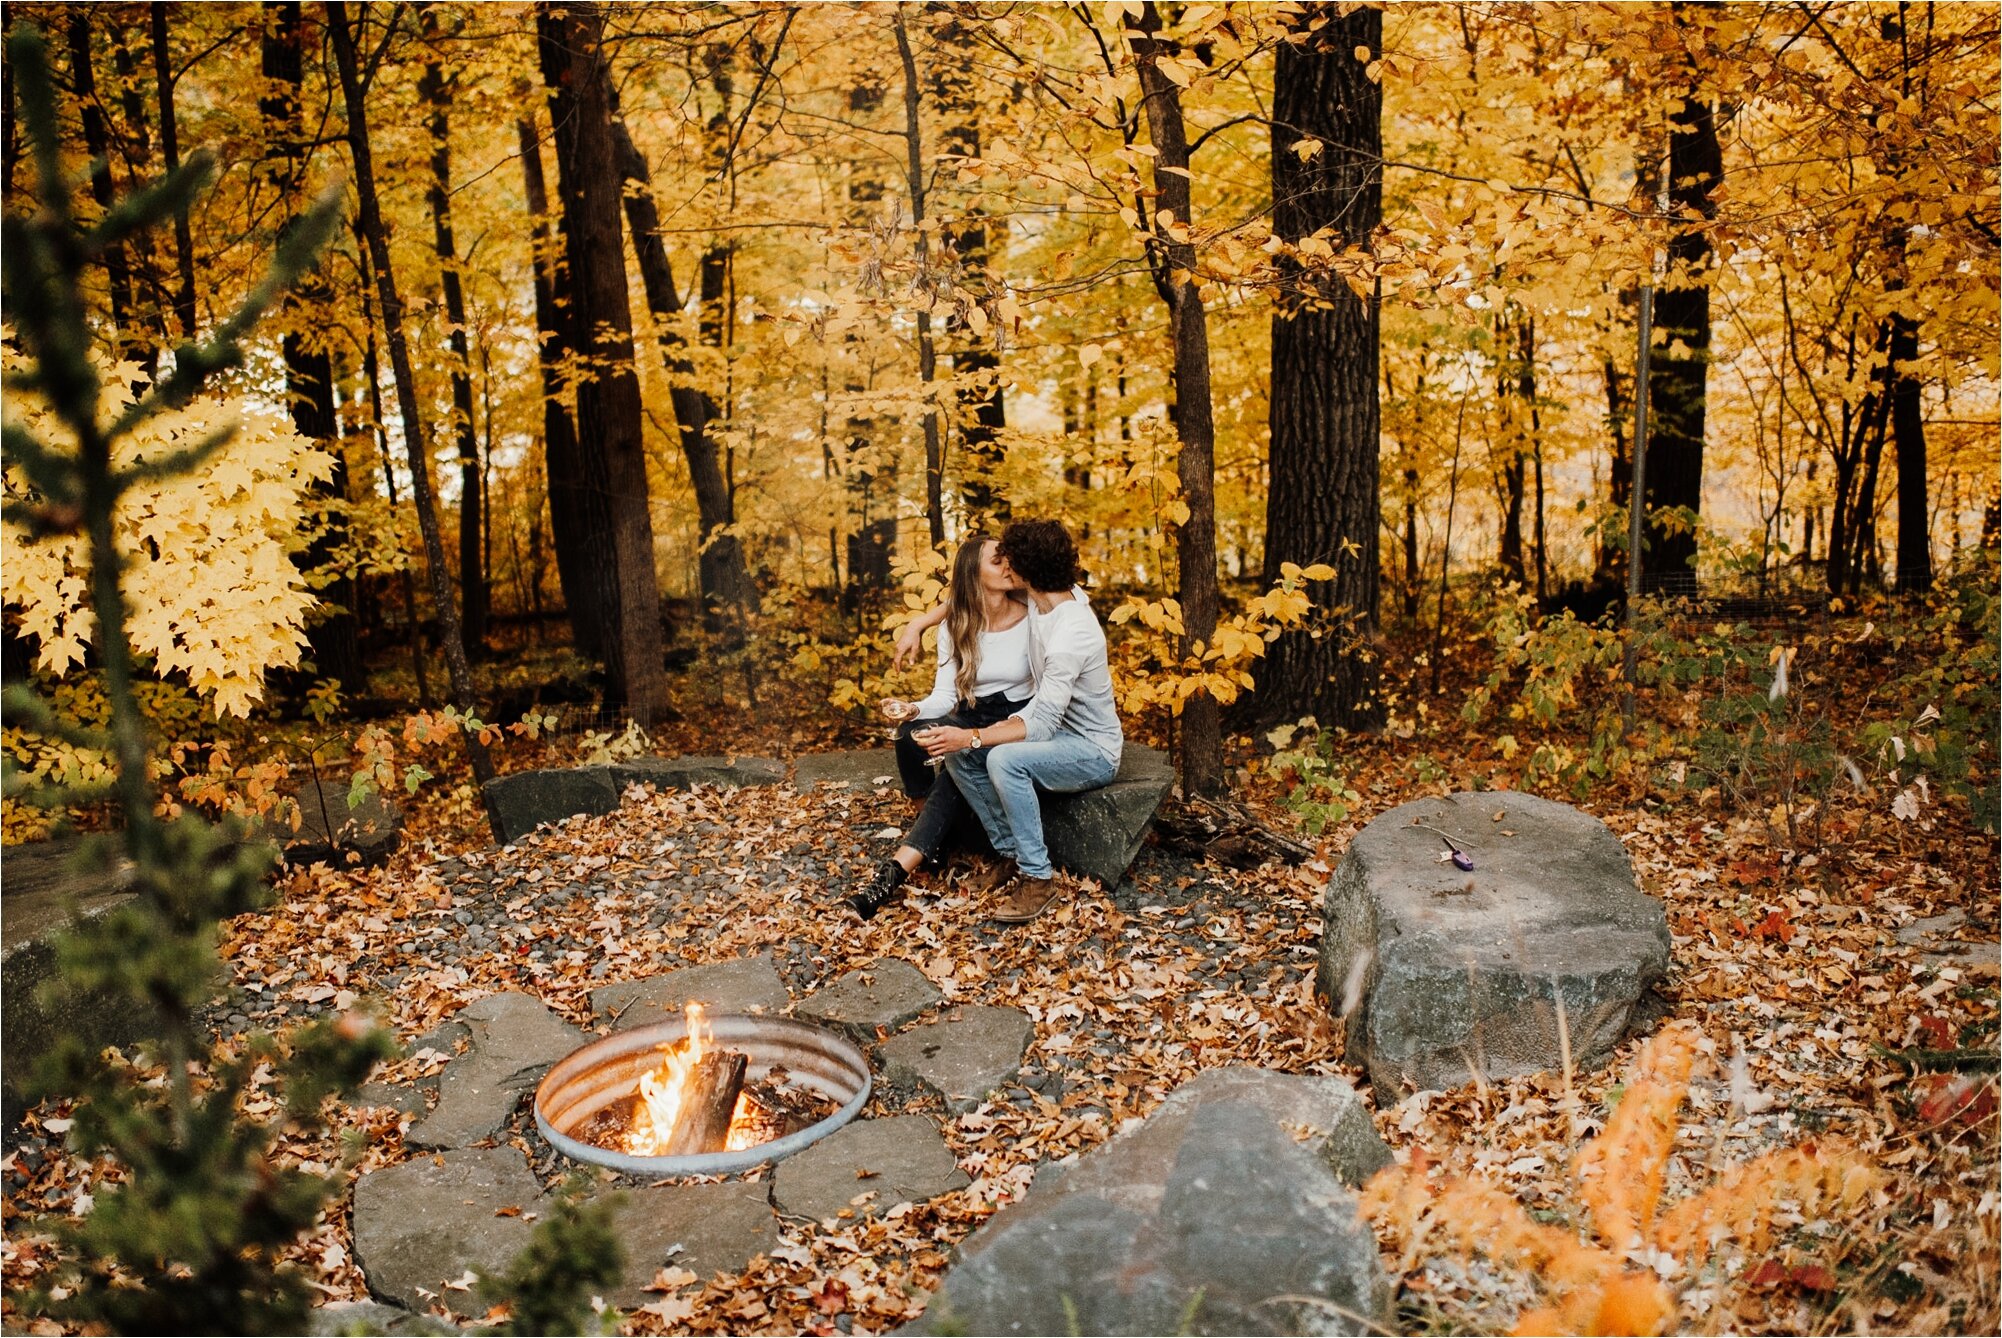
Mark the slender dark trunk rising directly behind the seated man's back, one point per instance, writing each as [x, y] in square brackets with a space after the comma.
[1196, 538]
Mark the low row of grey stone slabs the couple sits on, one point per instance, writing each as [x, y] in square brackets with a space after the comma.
[1092, 834]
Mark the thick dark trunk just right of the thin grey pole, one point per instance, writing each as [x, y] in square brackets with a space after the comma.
[1679, 382]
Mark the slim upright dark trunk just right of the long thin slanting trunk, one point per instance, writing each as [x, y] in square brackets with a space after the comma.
[473, 596]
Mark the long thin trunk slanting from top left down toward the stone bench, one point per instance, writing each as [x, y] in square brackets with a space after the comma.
[399, 358]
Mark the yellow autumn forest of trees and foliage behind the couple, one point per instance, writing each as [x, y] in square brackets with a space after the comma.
[662, 354]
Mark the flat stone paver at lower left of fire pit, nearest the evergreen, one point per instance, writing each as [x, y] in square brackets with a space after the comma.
[427, 1223]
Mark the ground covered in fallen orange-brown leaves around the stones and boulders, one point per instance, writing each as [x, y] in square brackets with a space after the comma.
[1815, 1011]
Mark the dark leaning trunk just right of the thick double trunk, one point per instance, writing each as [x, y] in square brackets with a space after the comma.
[724, 578]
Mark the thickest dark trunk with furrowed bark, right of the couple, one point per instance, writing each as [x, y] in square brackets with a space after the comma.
[1322, 504]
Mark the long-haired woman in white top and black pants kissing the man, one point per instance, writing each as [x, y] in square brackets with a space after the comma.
[984, 678]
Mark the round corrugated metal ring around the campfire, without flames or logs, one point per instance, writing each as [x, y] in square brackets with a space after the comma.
[606, 1071]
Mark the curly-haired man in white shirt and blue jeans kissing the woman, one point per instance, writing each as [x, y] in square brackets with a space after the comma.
[1068, 738]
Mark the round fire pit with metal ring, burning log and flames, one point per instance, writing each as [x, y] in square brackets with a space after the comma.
[702, 1097]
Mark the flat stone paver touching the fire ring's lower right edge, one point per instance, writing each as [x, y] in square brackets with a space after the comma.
[898, 1161]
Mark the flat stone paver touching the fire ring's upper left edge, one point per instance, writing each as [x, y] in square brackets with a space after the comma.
[514, 1041]
